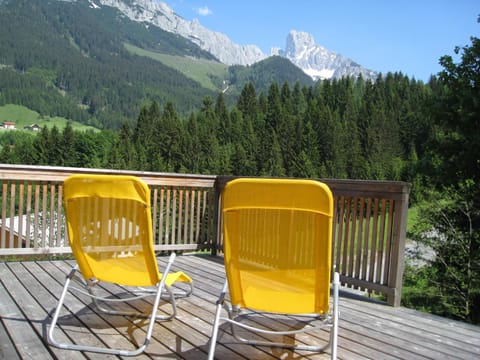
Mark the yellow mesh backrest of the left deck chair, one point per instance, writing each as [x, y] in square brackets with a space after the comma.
[109, 228]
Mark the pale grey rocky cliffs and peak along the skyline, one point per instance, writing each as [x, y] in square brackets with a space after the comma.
[315, 60]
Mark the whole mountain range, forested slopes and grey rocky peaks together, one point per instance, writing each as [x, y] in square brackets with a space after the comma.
[99, 61]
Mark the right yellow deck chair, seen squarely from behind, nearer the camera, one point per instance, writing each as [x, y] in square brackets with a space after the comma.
[277, 250]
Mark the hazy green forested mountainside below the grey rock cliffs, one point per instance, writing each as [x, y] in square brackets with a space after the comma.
[97, 67]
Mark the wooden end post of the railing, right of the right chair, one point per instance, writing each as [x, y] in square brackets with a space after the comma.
[397, 266]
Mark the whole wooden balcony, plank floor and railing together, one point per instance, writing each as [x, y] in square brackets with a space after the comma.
[369, 240]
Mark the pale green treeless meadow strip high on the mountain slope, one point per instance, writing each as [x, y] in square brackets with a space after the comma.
[206, 72]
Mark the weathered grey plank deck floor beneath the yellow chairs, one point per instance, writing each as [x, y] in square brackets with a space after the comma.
[29, 291]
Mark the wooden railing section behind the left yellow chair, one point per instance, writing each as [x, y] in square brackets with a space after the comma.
[32, 218]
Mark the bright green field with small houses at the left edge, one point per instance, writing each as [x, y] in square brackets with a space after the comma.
[23, 116]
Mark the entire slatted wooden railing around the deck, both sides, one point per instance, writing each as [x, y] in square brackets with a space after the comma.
[369, 223]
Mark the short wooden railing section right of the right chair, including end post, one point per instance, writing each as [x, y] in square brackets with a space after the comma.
[369, 234]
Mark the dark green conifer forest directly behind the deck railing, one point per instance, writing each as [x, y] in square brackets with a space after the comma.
[393, 128]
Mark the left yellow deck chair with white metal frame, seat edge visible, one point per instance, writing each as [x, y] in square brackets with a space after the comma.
[109, 227]
